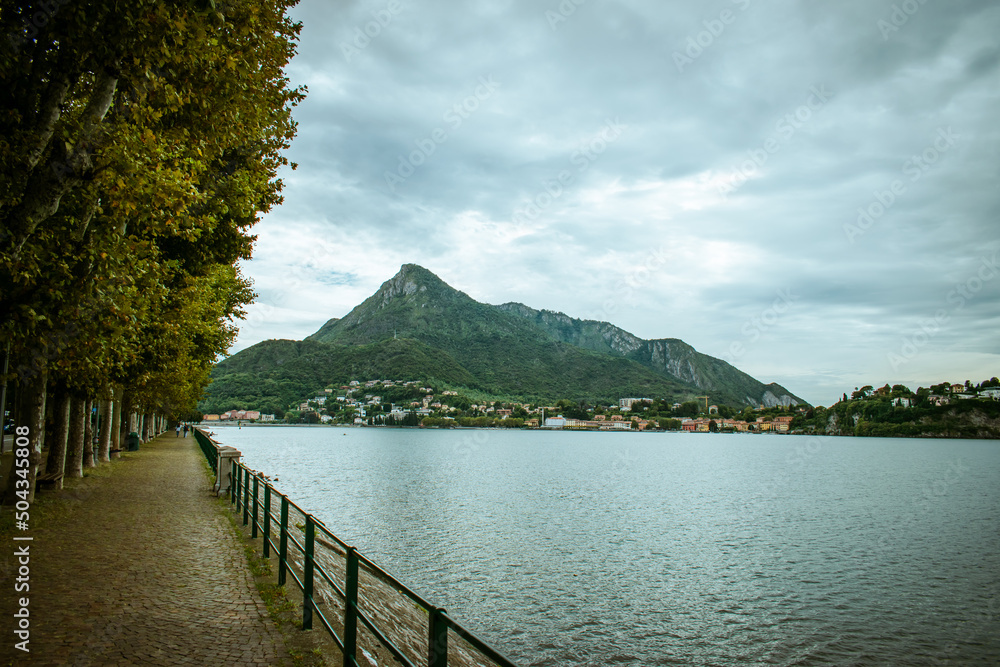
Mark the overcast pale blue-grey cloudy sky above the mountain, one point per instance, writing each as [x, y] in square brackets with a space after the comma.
[806, 189]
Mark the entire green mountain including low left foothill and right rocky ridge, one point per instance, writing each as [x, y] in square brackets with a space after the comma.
[418, 327]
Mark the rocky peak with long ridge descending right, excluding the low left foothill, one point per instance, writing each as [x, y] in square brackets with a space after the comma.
[515, 349]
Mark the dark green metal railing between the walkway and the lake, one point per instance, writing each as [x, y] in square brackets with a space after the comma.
[252, 495]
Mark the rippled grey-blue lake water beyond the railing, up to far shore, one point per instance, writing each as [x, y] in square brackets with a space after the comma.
[647, 549]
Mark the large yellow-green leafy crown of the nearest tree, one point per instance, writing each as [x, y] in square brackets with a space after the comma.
[163, 120]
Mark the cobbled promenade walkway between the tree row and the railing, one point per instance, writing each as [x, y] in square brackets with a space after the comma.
[141, 567]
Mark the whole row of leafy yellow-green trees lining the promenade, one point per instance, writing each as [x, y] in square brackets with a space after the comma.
[139, 143]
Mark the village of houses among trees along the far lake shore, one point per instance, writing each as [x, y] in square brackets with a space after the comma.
[410, 403]
